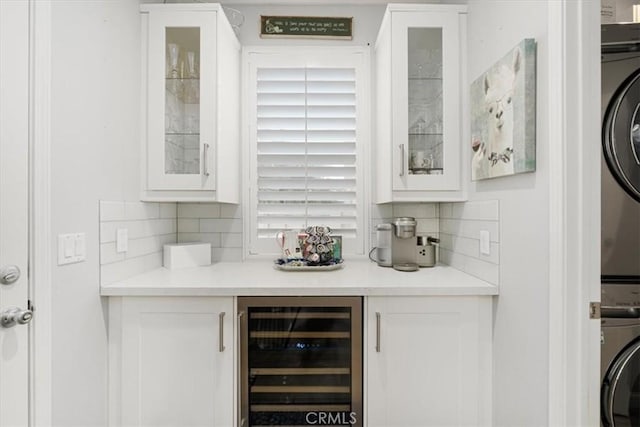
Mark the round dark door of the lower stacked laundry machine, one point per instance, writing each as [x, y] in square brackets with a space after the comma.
[621, 389]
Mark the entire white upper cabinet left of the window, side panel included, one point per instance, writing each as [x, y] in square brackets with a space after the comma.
[191, 109]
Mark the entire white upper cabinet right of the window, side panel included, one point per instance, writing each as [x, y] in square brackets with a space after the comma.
[419, 61]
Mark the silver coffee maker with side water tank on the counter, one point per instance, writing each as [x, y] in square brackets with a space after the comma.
[397, 244]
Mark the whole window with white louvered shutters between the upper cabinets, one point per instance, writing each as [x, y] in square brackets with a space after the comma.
[307, 122]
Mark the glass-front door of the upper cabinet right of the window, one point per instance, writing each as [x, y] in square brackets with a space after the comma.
[426, 128]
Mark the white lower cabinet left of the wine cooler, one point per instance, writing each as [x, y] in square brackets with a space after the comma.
[171, 361]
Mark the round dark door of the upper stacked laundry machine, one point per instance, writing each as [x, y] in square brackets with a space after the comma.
[621, 135]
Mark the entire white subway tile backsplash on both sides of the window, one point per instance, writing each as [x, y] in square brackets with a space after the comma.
[151, 225]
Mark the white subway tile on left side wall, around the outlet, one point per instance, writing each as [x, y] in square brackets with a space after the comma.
[149, 227]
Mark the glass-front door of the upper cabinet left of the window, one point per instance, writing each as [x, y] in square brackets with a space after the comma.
[181, 100]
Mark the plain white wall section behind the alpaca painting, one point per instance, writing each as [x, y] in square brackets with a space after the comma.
[522, 309]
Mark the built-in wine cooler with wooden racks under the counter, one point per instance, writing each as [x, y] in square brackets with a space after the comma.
[300, 361]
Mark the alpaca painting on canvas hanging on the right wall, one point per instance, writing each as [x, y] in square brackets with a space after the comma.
[503, 115]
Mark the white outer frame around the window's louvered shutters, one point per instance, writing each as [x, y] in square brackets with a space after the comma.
[310, 56]
